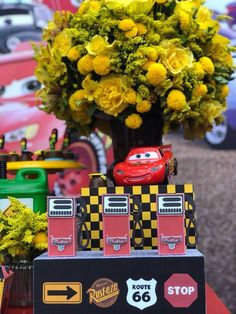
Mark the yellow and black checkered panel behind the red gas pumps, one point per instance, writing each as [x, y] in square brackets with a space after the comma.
[147, 195]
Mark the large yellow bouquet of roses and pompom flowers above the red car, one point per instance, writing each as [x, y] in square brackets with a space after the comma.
[126, 58]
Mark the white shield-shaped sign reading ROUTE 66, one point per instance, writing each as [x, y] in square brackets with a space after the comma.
[141, 293]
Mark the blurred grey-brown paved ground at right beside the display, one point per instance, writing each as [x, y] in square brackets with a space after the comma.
[213, 174]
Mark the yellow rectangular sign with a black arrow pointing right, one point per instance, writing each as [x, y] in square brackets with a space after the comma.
[62, 292]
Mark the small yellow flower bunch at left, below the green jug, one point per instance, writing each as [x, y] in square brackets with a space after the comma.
[22, 232]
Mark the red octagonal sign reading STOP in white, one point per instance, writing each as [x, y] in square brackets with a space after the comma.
[180, 290]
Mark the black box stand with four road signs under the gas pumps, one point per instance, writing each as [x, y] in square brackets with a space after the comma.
[143, 282]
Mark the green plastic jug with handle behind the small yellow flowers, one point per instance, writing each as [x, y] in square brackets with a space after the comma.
[30, 186]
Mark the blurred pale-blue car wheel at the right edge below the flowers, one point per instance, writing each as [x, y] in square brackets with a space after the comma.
[222, 136]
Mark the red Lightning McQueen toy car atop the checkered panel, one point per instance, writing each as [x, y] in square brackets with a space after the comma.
[146, 165]
